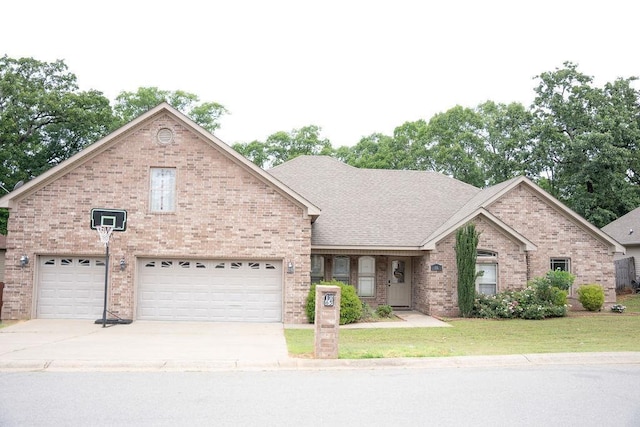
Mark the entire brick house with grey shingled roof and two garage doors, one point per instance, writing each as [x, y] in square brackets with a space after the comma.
[210, 236]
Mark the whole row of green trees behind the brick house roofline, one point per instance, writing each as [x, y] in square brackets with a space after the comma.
[577, 140]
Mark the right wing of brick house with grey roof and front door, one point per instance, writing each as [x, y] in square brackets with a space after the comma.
[392, 234]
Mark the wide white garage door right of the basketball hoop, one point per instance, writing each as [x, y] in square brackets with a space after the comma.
[226, 291]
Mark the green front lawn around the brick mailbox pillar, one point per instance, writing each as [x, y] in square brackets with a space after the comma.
[579, 332]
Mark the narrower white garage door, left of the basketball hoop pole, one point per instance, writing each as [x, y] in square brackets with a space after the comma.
[70, 288]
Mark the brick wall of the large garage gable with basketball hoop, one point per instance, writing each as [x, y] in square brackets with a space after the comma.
[222, 211]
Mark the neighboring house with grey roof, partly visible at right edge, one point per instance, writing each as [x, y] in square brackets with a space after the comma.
[626, 230]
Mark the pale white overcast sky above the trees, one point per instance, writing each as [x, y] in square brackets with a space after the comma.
[351, 67]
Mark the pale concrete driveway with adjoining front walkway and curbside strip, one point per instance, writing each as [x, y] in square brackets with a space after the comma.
[81, 345]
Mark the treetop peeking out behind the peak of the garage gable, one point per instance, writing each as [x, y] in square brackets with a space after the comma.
[129, 105]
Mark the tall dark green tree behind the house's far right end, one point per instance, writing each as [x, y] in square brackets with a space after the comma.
[586, 143]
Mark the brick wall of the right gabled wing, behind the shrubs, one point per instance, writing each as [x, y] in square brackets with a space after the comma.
[555, 234]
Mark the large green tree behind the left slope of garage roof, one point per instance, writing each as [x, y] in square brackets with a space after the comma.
[44, 119]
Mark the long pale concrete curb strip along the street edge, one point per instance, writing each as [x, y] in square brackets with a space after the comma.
[612, 358]
